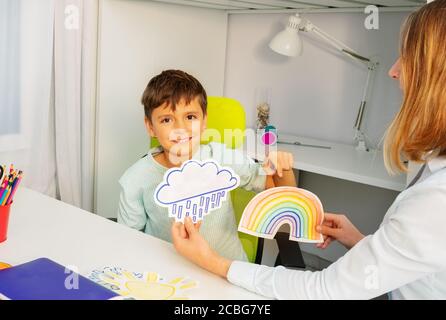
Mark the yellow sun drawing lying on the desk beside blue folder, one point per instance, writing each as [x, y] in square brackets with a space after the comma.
[143, 286]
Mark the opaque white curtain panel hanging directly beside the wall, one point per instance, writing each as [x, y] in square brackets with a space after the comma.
[75, 51]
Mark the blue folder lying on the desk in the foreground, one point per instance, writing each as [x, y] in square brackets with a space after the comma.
[44, 279]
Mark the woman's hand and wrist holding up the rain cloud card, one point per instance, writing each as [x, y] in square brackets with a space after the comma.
[188, 242]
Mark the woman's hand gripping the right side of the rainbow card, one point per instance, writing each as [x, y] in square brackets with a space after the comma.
[338, 227]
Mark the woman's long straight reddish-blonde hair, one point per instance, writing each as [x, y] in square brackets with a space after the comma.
[419, 129]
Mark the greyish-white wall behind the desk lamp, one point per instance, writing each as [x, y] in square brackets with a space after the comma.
[321, 85]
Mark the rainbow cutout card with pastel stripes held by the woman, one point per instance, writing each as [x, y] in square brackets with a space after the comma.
[272, 208]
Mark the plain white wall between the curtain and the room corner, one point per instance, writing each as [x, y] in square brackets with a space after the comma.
[139, 39]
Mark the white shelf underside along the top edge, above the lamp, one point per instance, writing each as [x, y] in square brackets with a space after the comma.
[260, 5]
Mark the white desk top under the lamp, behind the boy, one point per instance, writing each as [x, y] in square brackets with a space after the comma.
[341, 161]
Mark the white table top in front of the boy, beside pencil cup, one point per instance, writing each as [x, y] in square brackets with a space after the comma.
[43, 227]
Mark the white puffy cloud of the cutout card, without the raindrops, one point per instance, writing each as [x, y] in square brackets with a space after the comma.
[193, 180]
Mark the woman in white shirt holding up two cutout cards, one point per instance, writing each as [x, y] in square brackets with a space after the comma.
[407, 254]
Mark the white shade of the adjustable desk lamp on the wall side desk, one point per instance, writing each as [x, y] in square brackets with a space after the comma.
[288, 41]
